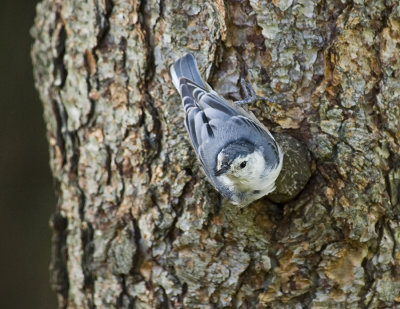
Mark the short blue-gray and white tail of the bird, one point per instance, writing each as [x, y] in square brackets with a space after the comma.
[186, 67]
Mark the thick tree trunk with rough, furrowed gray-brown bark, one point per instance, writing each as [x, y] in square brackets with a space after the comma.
[138, 226]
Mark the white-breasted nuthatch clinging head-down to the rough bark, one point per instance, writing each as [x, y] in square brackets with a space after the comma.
[239, 155]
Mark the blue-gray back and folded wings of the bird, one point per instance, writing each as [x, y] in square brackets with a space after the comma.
[212, 120]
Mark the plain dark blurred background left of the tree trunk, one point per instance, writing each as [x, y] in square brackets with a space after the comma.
[26, 189]
